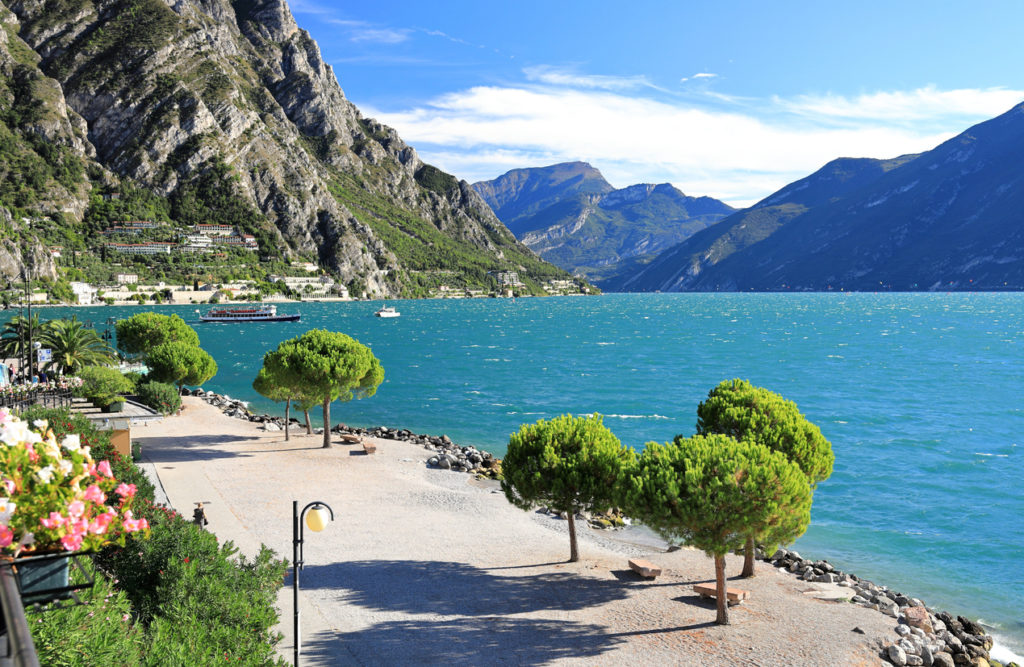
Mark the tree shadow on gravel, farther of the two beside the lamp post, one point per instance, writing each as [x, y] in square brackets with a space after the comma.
[459, 590]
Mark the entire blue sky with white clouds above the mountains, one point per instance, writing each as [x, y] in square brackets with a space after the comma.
[729, 100]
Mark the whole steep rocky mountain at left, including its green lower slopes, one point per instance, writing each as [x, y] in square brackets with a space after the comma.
[211, 111]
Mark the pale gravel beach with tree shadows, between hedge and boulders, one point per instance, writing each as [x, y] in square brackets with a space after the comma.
[425, 566]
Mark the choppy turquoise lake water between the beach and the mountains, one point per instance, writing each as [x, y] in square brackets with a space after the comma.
[921, 395]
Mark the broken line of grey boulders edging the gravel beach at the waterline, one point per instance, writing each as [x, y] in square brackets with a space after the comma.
[922, 636]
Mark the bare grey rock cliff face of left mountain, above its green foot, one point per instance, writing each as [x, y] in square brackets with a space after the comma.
[162, 94]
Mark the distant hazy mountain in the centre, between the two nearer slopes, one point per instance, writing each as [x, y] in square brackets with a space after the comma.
[573, 218]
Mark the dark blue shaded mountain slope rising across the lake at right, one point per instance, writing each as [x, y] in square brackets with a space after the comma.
[949, 219]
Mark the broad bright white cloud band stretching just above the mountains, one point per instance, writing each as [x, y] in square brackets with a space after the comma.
[737, 150]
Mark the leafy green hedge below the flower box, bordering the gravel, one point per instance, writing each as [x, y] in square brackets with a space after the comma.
[176, 599]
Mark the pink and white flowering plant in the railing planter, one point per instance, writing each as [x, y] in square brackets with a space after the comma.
[57, 497]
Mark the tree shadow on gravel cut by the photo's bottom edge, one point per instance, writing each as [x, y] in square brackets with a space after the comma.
[484, 641]
